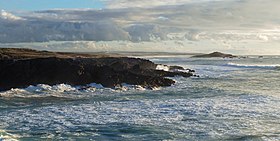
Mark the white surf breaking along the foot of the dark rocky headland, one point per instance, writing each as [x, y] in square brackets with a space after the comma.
[65, 90]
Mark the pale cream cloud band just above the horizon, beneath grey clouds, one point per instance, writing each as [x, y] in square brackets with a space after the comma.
[205, 46]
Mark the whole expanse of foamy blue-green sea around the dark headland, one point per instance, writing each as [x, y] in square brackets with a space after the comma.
[234, 99]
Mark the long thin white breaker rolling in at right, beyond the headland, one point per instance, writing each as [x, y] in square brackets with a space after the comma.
[264, 66]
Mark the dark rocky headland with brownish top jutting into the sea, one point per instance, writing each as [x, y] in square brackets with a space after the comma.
[20, 68]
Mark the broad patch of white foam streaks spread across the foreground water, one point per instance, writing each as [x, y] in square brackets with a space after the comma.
[214, 118]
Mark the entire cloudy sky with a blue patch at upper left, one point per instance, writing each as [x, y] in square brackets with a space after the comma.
[234, 26]
